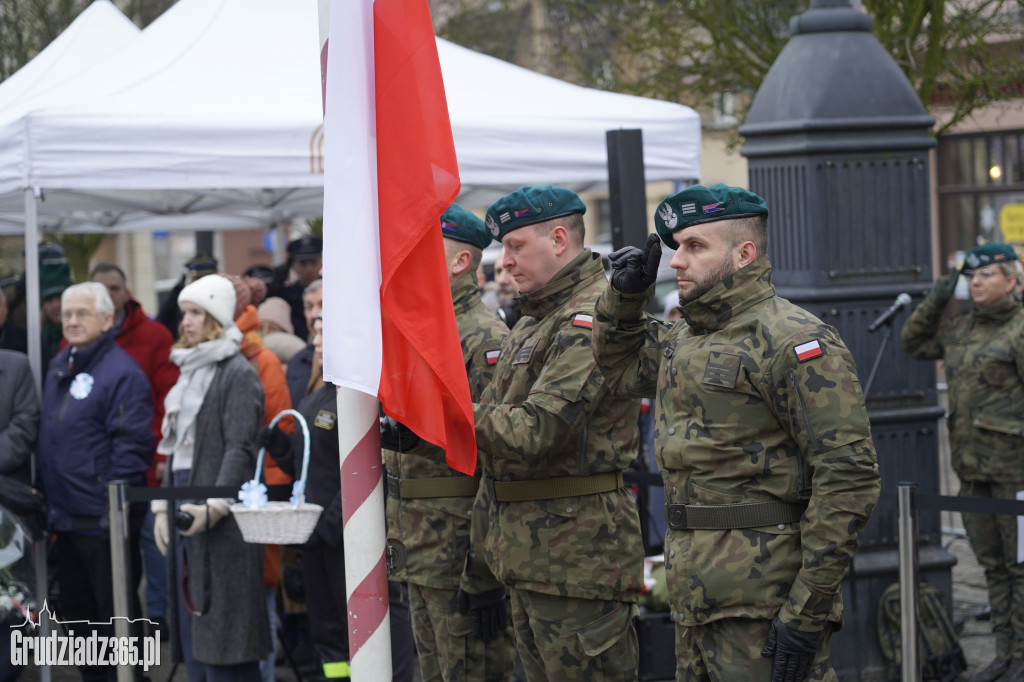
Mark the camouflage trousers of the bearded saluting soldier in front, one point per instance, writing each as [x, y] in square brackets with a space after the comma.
[731, 650]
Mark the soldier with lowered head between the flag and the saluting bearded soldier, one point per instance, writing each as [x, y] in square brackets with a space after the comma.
[553, 521]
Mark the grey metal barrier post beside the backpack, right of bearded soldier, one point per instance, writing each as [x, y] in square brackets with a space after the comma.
[908, 527]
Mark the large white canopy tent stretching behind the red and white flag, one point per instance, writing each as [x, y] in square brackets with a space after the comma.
[212, 119]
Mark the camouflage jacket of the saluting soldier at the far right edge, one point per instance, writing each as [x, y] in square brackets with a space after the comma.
[985, 360]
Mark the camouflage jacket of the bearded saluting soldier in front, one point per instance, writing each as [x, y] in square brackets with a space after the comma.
[756, 401]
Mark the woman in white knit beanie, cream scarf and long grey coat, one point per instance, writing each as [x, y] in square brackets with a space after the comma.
[210, 425]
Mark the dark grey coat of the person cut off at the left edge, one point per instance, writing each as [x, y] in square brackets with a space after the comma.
[19, 414]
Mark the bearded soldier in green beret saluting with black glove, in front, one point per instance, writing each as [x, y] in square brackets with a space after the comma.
[761, 435]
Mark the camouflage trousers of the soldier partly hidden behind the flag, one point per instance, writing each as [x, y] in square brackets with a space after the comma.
[446, 646]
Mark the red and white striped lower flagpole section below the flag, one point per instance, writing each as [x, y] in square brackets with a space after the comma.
[365, 536]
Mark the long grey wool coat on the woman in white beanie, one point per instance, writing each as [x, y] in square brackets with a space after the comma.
[235, 628]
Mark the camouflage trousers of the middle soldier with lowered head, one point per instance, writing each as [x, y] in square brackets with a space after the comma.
[570, 640]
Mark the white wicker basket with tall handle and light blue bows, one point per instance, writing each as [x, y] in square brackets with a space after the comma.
[280, 523]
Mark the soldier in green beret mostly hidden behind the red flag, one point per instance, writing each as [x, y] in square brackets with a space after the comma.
[429, 504]
